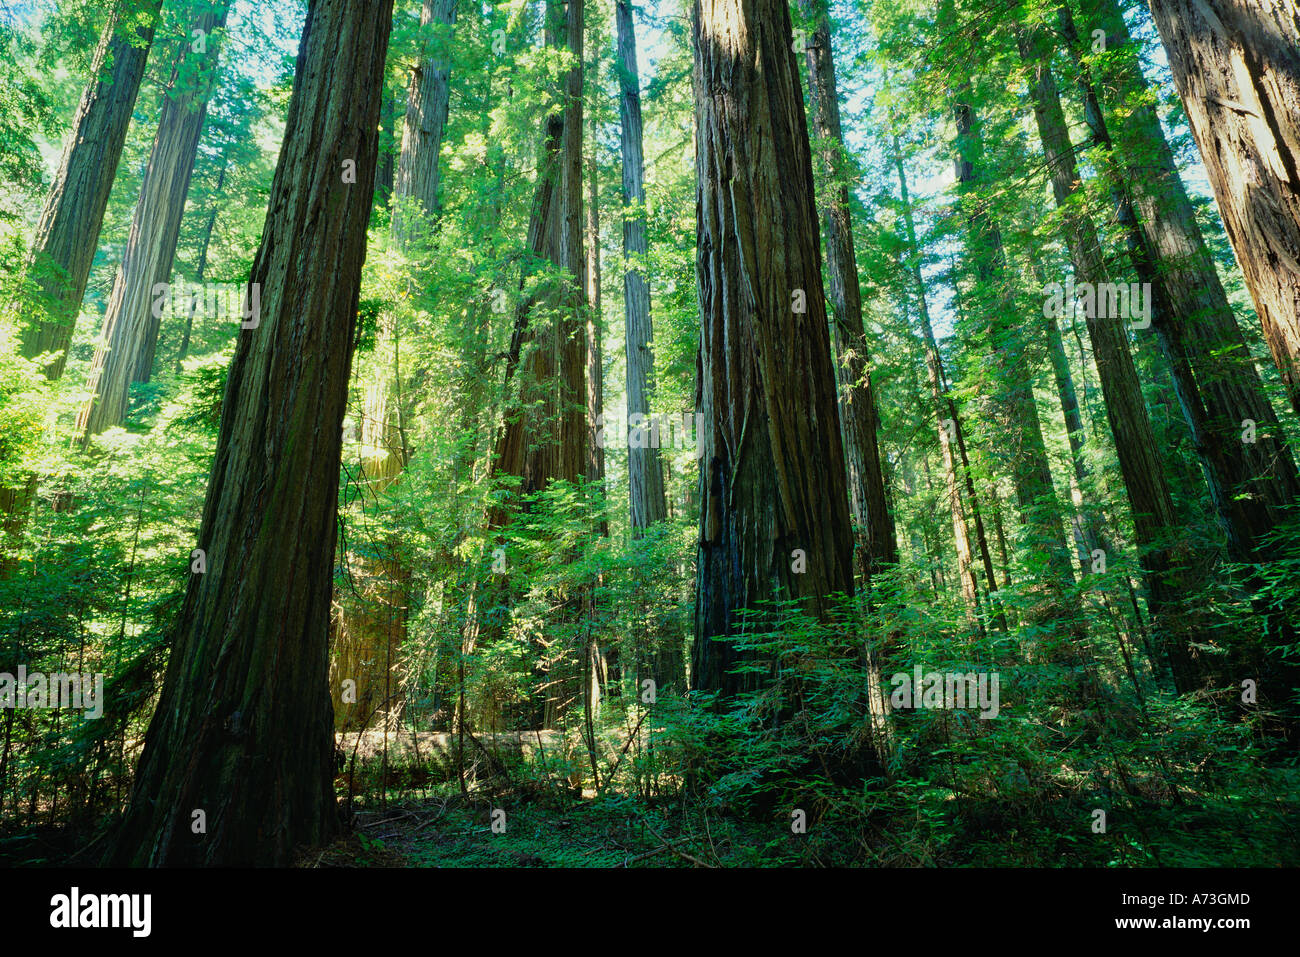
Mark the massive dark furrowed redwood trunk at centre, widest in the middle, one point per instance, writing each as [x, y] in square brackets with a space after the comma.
[773, 470]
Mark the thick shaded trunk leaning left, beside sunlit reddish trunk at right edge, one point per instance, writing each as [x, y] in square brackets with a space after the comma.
[1214, 375]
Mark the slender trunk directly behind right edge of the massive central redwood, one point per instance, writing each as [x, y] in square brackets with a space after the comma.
[878, 547]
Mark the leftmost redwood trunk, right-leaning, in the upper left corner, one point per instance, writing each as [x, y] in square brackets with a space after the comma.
[68, 232]
